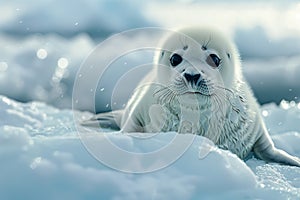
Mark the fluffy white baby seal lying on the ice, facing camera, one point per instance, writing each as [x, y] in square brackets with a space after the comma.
[196, 86]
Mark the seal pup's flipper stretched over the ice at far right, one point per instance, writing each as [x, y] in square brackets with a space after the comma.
[265, 150]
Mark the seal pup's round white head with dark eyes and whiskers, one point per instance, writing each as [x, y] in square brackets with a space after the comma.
[198, 61]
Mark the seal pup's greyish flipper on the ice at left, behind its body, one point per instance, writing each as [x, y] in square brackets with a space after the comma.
[105, 120]
